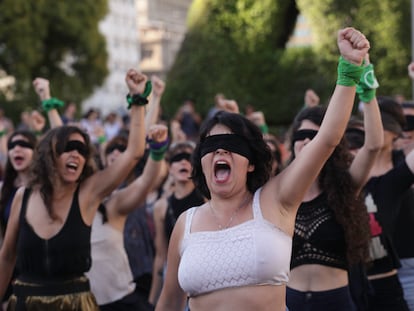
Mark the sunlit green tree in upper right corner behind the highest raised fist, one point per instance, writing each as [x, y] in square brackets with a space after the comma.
[385, 23]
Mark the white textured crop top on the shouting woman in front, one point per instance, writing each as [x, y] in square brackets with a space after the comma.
[255, 252]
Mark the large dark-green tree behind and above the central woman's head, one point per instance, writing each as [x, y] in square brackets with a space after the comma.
[226, 43]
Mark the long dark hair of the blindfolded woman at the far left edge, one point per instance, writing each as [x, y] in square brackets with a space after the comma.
[10, 175]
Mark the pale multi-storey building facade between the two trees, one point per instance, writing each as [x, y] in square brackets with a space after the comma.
[142, 34]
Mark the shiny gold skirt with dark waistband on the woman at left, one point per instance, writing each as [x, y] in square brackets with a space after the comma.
[73, 295]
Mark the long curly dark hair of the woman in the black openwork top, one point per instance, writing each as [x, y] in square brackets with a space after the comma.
[342, 194]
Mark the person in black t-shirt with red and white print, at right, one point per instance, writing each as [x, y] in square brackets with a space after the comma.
[390, 178]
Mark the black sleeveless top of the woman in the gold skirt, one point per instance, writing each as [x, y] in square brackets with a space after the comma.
[65, 255]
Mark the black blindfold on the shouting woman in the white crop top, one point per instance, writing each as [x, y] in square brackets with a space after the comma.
[230, 142]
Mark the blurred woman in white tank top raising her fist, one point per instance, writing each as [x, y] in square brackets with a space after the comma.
[110, 275]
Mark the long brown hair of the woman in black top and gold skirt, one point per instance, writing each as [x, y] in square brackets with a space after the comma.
[44, 162]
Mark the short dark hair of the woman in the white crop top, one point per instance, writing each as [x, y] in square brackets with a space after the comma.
[262, 156]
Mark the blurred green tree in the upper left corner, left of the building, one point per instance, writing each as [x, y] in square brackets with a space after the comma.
[58, 40]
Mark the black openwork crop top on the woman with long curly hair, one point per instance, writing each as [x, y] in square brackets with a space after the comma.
[318, 237]
